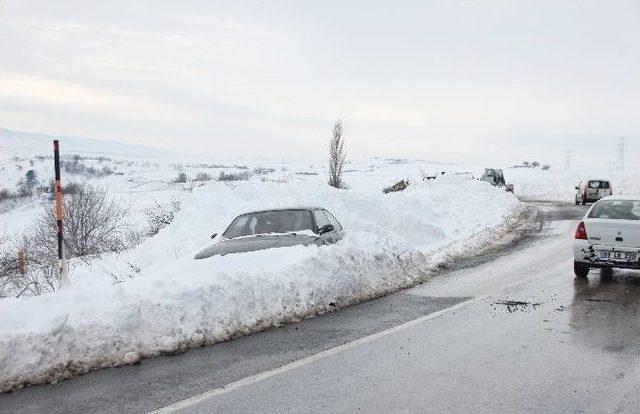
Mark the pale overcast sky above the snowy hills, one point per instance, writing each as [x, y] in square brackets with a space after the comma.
[444, 80]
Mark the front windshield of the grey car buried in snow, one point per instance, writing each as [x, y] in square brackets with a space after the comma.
[276, 221]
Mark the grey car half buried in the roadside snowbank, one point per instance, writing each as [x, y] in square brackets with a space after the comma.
[269, 229]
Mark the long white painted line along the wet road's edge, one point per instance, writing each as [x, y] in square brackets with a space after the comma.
[252, 379]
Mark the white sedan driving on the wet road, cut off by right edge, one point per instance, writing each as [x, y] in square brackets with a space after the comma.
[609, 236]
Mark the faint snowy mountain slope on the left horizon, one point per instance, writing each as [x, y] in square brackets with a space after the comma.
[17, 142]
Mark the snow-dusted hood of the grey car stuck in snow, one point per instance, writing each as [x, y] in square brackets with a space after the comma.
[253, 243]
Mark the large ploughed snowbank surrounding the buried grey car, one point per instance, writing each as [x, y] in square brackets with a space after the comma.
[169, 302]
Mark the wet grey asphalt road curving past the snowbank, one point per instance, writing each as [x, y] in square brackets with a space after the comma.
[513, 333]
